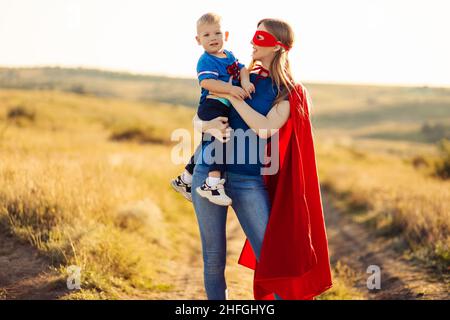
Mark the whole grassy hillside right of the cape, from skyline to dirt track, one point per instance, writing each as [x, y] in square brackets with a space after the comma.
[378, 152]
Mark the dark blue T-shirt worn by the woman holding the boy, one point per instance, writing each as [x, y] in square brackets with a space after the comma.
[245, 150]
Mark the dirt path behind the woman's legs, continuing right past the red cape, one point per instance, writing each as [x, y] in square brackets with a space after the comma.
[349, 243]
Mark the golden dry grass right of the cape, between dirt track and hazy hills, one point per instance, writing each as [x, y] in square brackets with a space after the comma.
[389, 194]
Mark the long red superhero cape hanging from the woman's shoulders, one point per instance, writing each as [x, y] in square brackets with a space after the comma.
[294, 261]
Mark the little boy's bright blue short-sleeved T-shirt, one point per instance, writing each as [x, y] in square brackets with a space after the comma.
[212, 67]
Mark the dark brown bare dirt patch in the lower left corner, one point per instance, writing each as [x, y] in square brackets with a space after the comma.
[24, 274]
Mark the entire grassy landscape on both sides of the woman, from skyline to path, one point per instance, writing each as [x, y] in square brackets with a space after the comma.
[85, 164]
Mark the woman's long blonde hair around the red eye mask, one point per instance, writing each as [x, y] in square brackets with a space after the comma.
[280, 70]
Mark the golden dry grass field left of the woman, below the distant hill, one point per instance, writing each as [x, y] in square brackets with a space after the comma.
[83, 198]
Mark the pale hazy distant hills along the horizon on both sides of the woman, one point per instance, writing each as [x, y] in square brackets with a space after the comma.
[374, 112]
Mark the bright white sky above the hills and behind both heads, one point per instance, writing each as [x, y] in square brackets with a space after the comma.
[347, 41]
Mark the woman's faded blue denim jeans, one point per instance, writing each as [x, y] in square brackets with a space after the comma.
[252, 206]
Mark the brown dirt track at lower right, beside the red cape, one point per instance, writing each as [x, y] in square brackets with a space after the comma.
[352, 245]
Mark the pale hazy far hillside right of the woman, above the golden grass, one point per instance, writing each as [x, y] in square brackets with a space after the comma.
[390, 114]
